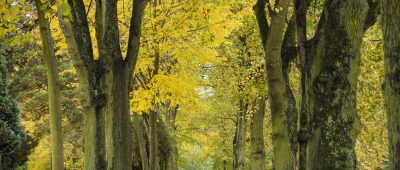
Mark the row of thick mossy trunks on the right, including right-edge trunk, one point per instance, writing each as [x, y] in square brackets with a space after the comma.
[329, 123]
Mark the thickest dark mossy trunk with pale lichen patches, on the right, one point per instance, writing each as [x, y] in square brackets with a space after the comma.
[334, 121]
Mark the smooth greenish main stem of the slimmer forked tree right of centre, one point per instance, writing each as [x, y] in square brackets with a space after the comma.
[280, 133]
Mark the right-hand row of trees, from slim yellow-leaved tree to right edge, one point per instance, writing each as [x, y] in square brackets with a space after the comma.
[322, 132]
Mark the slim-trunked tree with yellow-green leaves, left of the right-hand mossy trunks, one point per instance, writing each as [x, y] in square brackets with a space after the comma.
[241, 83]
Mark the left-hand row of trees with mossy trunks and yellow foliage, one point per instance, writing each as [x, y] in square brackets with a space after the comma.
[106, 79]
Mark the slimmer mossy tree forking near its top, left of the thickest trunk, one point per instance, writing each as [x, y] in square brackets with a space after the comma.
[282, 120]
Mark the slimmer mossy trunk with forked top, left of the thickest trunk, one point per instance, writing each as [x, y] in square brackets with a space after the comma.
[279, 53]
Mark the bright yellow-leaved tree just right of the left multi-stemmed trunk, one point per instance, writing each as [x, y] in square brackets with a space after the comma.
[180, 38]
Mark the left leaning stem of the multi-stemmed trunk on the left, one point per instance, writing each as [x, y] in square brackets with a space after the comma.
[92, 97]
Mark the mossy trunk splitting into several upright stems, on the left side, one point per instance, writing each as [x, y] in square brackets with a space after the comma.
[105, 82]
